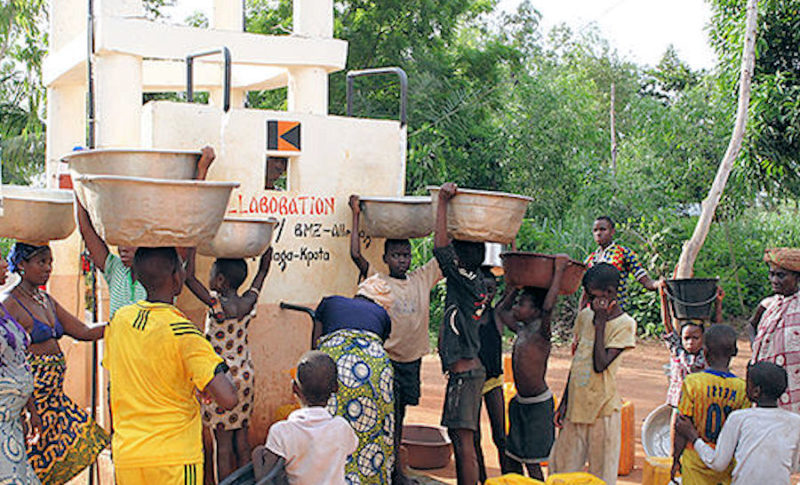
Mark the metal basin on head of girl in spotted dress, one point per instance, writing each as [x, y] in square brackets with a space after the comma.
[240, 238]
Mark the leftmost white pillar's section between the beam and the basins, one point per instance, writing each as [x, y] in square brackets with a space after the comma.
[66, 125]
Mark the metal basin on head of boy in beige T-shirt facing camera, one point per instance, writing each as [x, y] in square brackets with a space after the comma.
[397, 217]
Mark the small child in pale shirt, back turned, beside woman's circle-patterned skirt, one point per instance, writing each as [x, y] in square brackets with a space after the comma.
[314, 444]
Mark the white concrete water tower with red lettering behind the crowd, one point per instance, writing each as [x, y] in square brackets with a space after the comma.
[329, 157]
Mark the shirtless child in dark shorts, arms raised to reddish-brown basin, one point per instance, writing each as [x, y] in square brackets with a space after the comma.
[530, 412]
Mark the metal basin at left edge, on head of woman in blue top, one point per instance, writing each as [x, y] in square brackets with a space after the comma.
[36, 215]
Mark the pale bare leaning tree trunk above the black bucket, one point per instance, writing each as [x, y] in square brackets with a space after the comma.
[692, 247]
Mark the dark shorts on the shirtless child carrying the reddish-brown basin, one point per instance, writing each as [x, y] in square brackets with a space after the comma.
[531, 431]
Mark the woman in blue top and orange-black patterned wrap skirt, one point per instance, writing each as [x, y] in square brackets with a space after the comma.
[70, 440]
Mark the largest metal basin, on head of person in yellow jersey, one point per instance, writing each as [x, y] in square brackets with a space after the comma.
[133, 211]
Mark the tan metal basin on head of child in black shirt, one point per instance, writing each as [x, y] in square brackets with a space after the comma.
[483, 216]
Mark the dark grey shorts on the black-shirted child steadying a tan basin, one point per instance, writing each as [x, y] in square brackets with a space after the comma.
[462, 401]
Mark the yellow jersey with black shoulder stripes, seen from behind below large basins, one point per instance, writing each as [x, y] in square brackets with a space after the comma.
[156, 359]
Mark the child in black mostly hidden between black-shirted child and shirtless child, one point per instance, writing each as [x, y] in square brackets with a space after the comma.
[491, 355]
